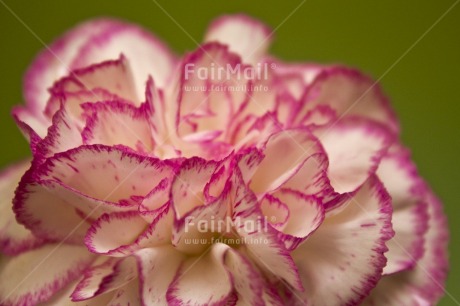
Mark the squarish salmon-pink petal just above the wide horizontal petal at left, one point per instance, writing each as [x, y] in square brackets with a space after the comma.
[118, 123]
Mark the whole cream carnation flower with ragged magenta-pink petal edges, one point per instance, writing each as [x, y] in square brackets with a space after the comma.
[225, 177]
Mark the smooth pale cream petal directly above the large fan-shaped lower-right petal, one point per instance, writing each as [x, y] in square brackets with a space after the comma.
[354, 148]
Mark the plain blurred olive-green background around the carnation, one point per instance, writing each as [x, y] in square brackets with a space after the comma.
[370, 35]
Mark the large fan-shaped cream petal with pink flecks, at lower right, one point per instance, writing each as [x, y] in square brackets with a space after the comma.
[331, 259]
